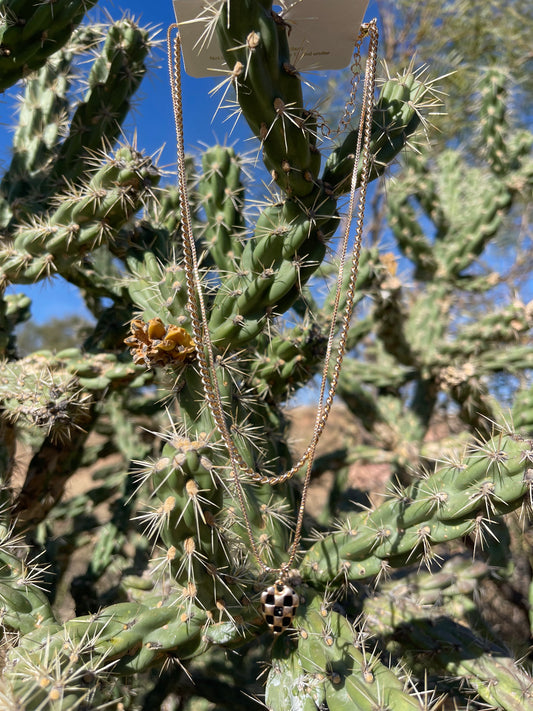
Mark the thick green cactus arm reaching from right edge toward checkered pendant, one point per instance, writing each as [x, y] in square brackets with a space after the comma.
[494, 478]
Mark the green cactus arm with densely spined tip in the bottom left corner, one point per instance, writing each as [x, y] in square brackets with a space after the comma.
[125, 637]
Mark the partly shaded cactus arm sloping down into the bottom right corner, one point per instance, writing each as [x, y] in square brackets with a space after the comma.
[434, 613]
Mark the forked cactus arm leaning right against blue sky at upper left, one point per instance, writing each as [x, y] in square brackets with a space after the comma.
[41, 160]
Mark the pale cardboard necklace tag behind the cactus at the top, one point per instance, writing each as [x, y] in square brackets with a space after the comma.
[323, 34]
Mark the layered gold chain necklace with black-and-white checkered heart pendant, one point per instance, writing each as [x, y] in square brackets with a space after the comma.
[279, 601]
